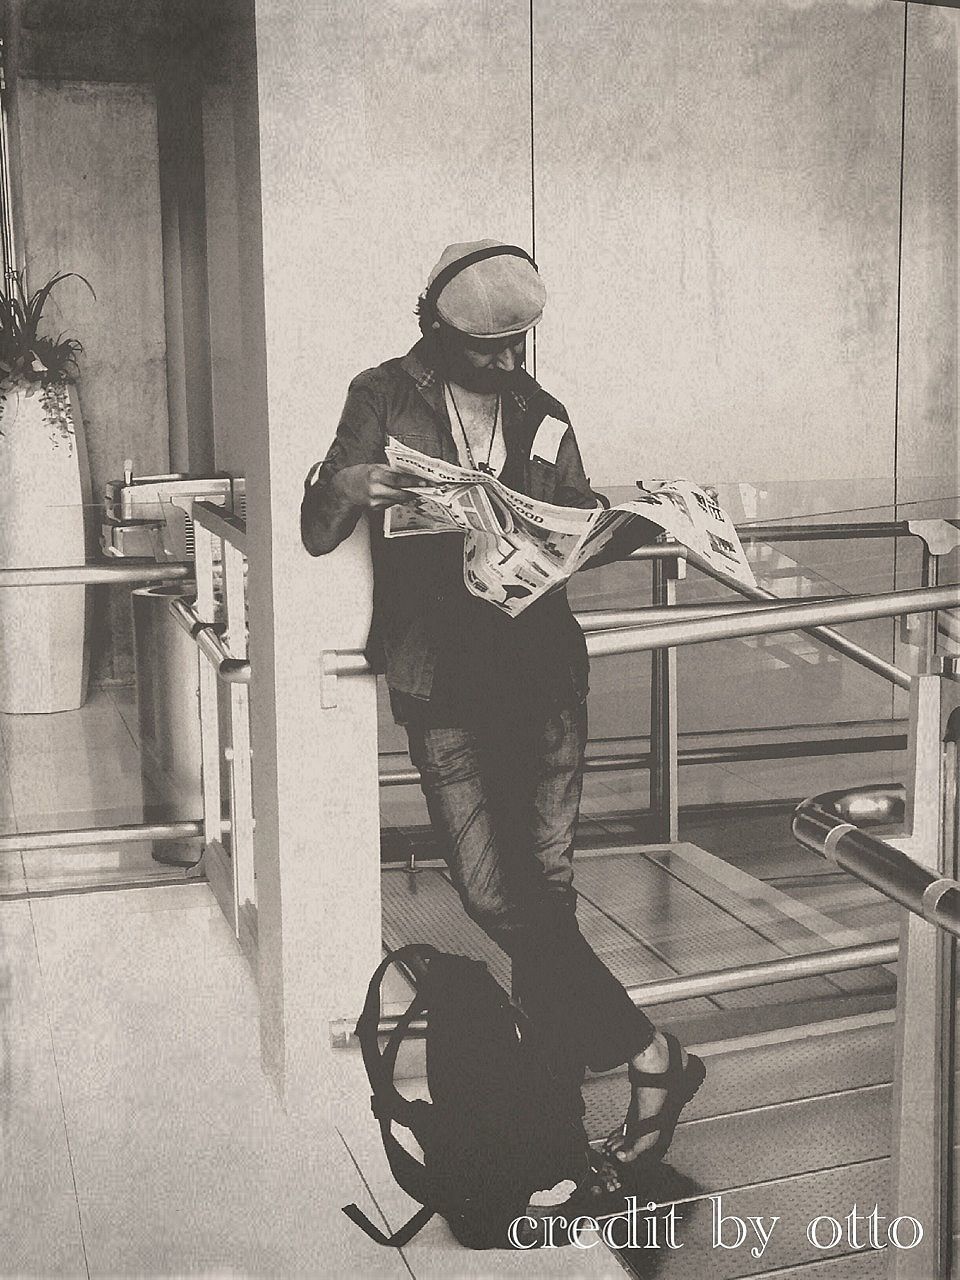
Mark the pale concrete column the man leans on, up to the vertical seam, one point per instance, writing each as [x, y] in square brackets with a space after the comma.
[382, 138]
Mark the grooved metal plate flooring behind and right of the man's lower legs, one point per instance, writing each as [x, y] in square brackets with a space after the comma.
[794, 1128]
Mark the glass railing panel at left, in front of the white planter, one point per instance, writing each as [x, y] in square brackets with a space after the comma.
[98, 702]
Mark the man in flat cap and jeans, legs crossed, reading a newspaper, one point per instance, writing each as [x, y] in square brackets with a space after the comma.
[495, 701]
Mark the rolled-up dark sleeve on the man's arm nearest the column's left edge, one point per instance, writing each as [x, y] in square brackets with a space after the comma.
[326, 516]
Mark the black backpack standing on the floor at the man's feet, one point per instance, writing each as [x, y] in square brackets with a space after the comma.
[492, 1133]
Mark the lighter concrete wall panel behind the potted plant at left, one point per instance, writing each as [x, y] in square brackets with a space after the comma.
[92, 204]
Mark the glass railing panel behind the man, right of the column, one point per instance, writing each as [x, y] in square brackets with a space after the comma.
[779, 688]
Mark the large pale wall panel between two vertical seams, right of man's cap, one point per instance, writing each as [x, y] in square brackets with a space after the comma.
[719, 221]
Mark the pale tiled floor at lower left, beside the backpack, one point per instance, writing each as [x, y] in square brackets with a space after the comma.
[147, 1139]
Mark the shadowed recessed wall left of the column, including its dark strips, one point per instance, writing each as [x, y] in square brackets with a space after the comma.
[109, 122]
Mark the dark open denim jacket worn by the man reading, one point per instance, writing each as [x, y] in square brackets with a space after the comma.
[404, 399]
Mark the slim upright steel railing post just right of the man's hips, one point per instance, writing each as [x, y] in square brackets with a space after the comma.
[664, 716]
